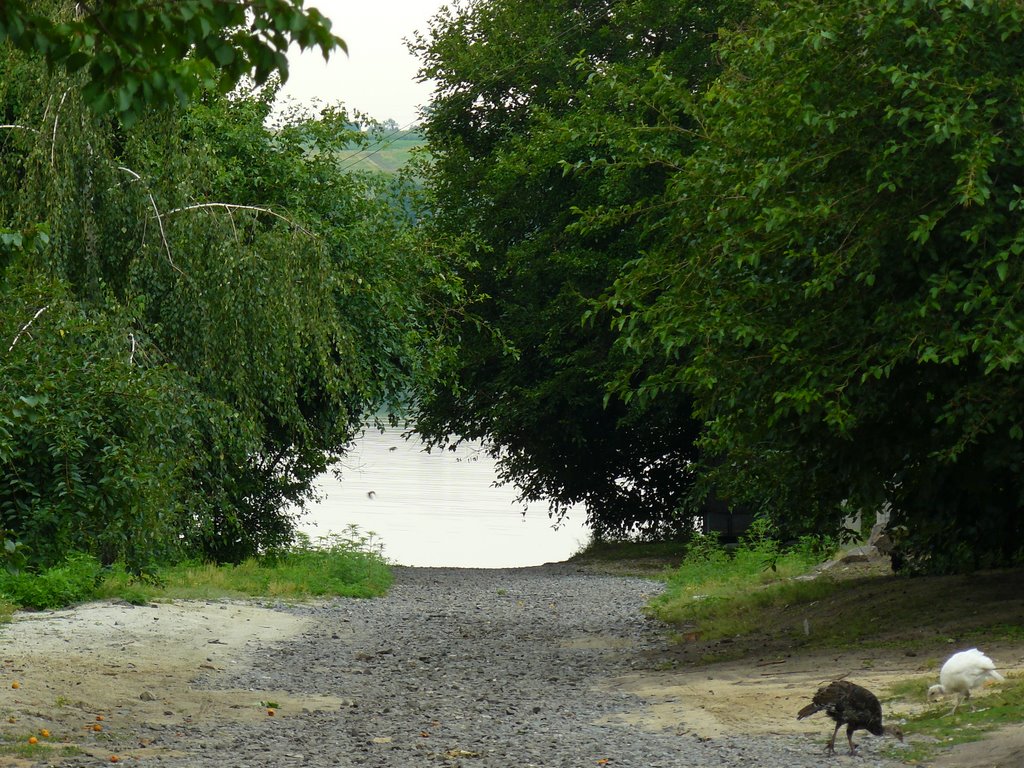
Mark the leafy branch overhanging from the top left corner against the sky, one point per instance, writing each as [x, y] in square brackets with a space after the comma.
[140, 54]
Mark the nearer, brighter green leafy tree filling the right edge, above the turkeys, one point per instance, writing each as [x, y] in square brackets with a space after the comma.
[836, 277]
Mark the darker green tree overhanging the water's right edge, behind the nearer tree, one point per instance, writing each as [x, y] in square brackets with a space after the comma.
[515, 120]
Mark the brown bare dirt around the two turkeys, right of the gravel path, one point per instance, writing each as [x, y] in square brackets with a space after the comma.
[915, 624]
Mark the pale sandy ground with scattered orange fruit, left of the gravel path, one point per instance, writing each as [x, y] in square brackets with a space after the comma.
[115, 666]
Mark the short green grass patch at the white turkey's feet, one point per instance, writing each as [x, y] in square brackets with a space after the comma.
[936, 731]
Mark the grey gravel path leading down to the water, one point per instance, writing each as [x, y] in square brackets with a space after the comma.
[480, 669]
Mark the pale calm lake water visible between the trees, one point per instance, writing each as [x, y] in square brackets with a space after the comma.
[438, 509]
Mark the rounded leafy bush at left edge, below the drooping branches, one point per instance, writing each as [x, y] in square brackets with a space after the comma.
[92, 437]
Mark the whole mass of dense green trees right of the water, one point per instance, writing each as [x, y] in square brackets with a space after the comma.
[803, 221]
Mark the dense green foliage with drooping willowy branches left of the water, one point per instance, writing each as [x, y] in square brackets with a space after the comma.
[199, 313]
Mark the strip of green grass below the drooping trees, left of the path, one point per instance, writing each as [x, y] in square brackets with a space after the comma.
[345, 566]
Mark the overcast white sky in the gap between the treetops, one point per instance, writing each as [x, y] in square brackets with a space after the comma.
[378, 76]
